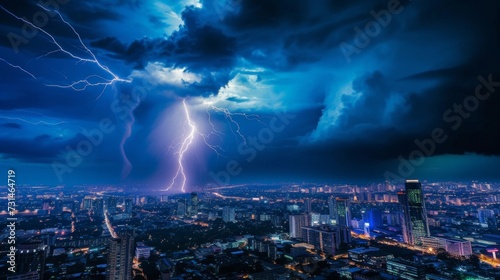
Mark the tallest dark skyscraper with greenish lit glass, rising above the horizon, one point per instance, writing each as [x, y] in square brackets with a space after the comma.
[414, 217]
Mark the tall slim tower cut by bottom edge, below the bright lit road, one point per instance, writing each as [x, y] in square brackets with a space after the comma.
[120, 256]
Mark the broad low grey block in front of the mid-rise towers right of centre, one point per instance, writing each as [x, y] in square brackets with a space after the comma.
[324, 238]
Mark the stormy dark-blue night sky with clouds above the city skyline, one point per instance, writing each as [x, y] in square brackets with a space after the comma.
[282, 91]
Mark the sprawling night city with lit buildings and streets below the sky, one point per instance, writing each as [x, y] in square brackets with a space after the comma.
[410, 230]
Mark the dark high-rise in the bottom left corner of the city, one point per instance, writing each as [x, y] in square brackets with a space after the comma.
[30, 259]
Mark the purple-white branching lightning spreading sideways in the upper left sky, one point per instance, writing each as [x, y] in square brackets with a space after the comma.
[84, 83]
